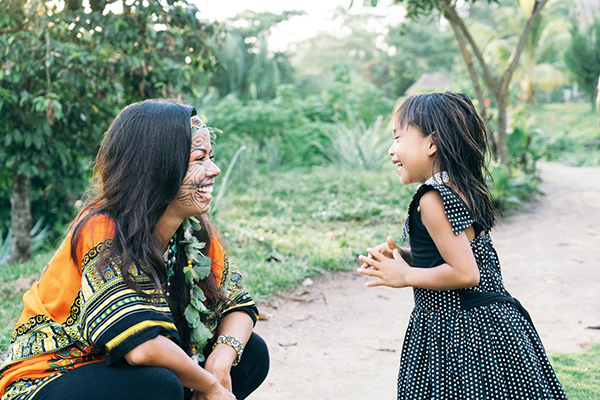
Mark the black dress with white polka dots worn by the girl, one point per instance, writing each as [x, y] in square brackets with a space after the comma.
[490, 351]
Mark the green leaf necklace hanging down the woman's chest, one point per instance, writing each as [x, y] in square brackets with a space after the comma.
[198, 268]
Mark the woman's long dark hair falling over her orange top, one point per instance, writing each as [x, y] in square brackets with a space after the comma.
[138, 171]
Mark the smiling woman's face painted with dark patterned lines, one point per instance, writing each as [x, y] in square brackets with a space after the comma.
[194, 195]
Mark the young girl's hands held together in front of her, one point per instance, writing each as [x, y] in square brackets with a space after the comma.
[389, 271]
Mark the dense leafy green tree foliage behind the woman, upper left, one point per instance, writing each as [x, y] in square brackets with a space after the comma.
[65, 73]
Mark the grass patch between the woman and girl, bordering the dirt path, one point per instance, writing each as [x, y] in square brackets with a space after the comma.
[287, 226]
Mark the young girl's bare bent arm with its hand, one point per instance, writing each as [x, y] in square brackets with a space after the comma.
[459, 271]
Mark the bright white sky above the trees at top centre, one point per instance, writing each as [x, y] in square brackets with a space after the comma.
[318, 15]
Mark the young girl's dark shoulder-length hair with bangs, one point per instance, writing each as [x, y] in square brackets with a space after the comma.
[460, 137]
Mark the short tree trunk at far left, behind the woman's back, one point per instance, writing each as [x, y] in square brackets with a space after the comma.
[20, 218]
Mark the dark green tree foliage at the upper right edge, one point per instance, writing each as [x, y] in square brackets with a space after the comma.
[583, 58]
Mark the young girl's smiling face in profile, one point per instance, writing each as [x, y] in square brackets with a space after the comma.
[412, 153]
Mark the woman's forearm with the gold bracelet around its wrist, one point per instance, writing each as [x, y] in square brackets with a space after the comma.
[239, 325]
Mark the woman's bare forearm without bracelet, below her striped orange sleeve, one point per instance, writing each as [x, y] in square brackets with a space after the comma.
[162, 352]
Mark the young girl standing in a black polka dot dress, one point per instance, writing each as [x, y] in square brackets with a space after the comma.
[467, 337]
